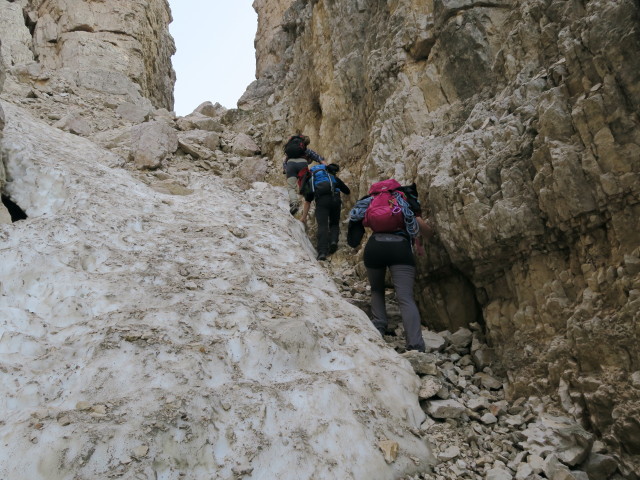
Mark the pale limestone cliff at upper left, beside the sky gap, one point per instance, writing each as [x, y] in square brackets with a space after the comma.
[121, 52]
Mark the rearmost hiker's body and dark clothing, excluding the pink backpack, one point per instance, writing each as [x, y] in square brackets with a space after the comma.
[392, 250]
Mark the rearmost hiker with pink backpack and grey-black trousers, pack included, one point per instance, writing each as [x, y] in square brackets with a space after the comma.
[392, 212]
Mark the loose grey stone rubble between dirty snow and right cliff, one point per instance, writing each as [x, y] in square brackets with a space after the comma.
[478, 434]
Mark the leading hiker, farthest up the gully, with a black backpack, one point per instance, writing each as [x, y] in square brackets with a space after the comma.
[296, 163]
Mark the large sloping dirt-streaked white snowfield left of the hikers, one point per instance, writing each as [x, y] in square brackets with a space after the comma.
[192, 336]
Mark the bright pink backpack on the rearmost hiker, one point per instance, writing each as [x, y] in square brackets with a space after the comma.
[384, 214]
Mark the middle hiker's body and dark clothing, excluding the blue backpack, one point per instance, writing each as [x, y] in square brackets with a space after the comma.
[328, 208]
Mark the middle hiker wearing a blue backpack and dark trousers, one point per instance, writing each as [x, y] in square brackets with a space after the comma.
[324, 187]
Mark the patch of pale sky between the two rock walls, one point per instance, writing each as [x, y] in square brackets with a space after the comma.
[215, 58]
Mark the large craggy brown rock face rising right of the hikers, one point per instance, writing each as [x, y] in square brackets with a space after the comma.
[518, 121]
